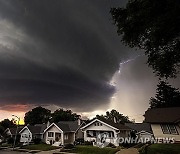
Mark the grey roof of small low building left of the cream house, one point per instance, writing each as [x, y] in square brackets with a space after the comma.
[140, 127]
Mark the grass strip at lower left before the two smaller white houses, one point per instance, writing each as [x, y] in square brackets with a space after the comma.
[42, 147]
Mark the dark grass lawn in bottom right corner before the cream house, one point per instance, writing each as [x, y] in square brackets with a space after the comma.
[164, 149]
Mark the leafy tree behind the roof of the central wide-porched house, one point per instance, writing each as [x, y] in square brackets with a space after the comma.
[114, 116]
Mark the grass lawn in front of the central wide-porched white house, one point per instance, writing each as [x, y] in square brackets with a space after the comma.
[93, 150]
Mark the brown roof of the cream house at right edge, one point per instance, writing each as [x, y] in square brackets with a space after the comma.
[163, 115]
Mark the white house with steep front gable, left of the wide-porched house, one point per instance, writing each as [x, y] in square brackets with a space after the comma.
[64, 132]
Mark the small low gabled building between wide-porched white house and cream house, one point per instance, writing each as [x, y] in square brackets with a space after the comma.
[143, 130]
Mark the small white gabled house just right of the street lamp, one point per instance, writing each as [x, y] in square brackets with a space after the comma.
[28, 133]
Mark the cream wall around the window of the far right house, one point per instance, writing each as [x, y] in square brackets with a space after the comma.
[157, 131]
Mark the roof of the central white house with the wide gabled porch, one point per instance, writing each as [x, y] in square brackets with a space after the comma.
[110, 123]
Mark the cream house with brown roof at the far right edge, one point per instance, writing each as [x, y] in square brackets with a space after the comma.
[165, 122]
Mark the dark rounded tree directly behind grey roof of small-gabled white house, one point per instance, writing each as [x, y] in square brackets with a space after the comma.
[62, 115]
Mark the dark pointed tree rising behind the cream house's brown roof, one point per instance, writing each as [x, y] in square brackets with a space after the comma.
[166, 96]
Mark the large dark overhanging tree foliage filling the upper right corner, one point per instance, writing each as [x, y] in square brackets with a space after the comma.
[153, 26]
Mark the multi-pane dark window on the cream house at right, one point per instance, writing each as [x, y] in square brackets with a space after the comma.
[169, 129]
